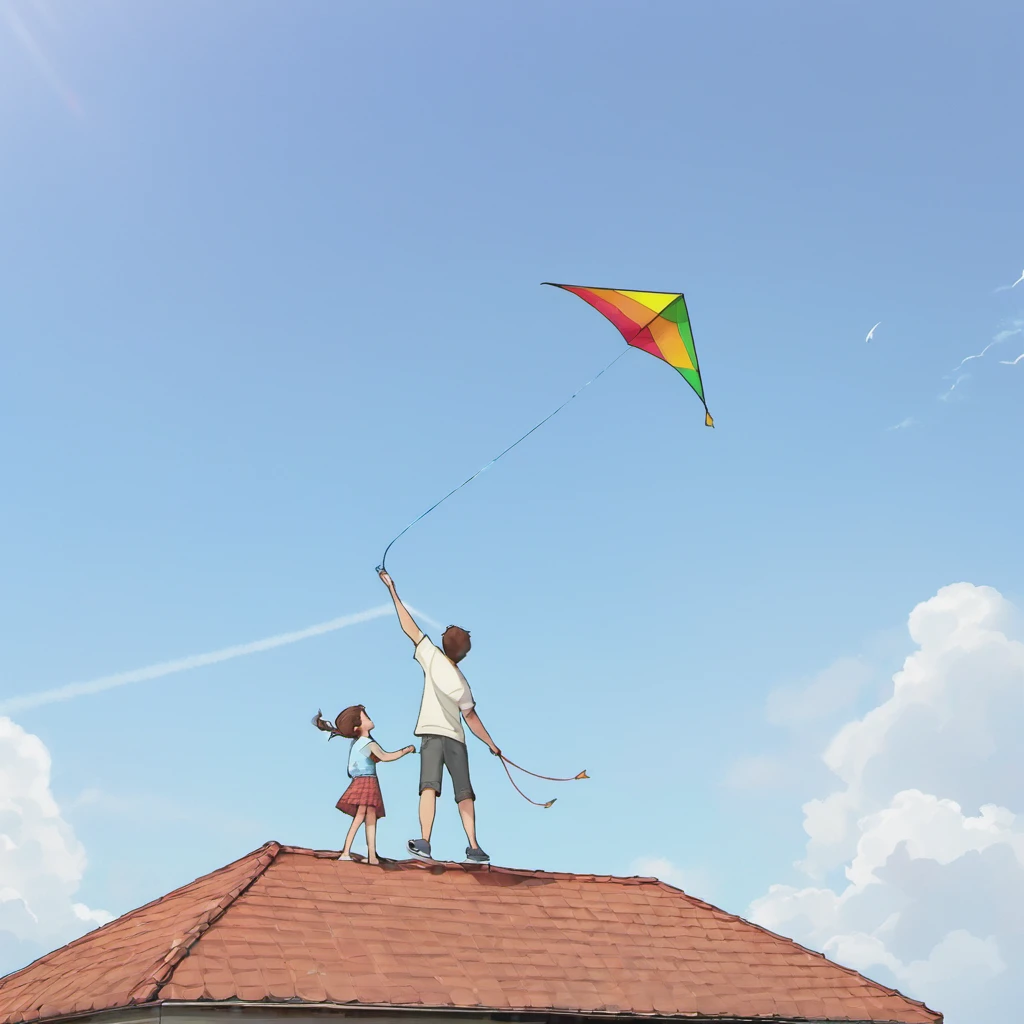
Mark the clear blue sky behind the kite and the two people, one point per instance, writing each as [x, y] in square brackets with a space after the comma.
[271, 288]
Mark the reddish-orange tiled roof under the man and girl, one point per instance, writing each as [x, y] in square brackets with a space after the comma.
[290, 925]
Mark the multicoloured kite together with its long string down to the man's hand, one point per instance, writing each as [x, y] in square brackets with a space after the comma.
[657, 323]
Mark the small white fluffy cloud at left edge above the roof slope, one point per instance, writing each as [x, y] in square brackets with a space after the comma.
[41, 862]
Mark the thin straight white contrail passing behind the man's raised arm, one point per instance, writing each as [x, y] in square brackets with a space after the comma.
[73, 691]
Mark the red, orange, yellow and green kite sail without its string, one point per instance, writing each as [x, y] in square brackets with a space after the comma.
[655, 322]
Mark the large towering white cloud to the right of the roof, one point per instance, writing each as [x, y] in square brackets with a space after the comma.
[915, 862]
